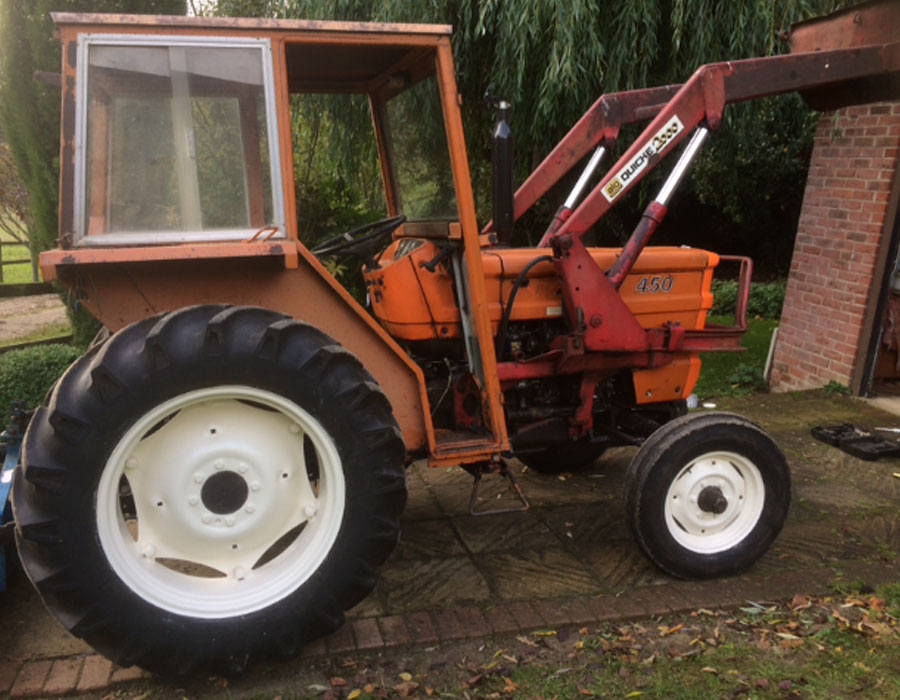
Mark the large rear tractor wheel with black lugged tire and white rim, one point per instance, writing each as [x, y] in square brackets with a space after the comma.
[207, 486]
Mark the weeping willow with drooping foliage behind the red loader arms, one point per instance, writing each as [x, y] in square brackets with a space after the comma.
[552, 59]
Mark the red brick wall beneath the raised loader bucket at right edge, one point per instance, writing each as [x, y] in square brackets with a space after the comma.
[836, 253]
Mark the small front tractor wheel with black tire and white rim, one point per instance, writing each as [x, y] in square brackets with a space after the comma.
[707, 494]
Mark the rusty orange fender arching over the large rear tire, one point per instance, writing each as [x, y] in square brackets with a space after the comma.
[120, 291]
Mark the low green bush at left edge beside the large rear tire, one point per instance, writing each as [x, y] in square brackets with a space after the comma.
[27, 374]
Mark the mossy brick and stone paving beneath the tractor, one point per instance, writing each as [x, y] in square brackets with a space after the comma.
[569, 562]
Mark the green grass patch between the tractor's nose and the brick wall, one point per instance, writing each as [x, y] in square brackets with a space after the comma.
[735, 374]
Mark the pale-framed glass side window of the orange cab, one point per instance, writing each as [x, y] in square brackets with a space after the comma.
[176, 140]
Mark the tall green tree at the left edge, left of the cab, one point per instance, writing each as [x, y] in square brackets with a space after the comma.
[29, 110]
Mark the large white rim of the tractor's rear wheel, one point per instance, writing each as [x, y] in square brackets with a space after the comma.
[204, 548]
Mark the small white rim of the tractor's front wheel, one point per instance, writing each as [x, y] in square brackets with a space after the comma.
[733, 477]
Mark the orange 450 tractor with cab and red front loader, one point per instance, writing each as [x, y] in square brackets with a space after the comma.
[222, 475]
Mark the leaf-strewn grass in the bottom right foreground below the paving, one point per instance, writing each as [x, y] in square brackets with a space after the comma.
[842, 646]
